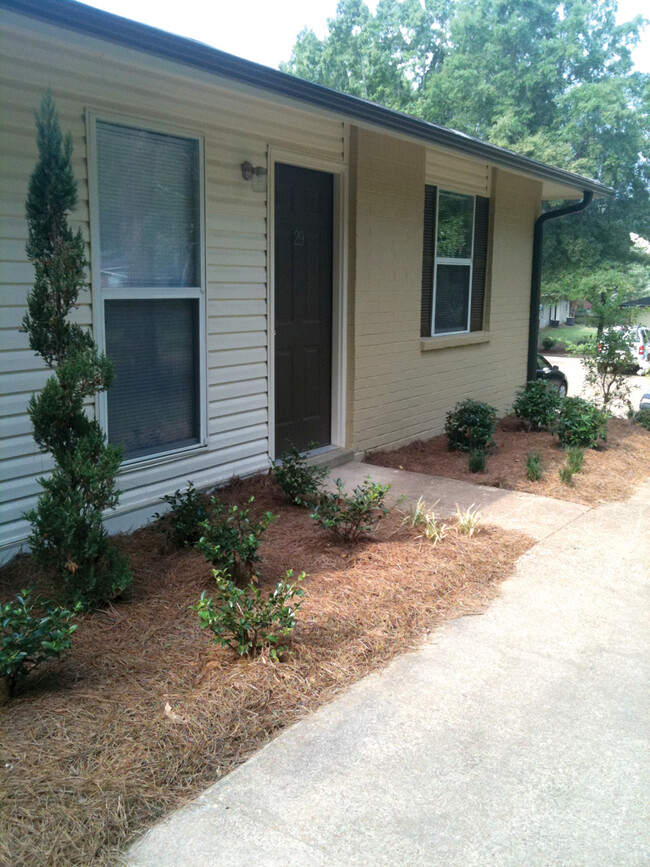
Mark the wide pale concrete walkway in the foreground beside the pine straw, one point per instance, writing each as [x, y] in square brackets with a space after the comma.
[519, 737]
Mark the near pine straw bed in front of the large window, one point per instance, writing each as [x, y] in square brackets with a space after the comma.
[89, 755]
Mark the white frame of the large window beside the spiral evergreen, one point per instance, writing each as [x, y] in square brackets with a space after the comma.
[100, 295]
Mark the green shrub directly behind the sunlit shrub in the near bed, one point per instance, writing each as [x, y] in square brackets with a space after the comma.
[230, 539]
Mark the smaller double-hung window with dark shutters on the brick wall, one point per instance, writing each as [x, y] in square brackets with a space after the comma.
[453, 262]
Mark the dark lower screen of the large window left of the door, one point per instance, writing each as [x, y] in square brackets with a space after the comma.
[153, 403]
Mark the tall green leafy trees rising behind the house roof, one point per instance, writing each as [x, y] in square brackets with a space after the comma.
[553, 81]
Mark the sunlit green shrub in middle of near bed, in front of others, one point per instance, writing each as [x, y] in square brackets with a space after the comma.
[241, 618]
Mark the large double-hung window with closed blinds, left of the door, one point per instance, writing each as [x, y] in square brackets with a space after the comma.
[148, 265]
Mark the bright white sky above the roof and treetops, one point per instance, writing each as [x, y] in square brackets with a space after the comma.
[265, 30]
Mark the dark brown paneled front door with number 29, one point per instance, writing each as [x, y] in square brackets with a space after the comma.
[303, 307]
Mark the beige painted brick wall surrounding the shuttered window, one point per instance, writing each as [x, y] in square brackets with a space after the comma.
[401, 391]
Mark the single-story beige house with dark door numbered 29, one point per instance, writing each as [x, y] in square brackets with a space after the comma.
[271, 261]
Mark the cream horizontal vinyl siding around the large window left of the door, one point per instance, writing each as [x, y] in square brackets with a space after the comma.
[237, 124]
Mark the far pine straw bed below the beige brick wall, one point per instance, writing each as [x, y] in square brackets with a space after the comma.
[610, 472]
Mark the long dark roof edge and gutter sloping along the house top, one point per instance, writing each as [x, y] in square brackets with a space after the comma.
[76, 16]
